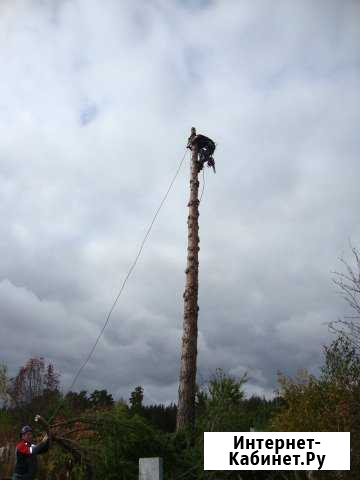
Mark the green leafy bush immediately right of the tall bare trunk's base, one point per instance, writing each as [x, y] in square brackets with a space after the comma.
[222, 406]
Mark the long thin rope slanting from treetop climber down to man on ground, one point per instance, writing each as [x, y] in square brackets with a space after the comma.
[124, 282]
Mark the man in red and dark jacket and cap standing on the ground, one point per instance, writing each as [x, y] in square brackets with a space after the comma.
[26, 454]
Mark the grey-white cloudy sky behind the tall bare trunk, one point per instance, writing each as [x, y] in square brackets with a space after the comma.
[96, 103]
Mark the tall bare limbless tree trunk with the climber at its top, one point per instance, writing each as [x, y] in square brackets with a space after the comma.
[187, 382]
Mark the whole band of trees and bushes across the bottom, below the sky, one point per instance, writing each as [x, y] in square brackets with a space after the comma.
[95, 437]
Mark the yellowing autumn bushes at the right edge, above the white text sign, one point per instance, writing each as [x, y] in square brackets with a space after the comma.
[328, 403]
